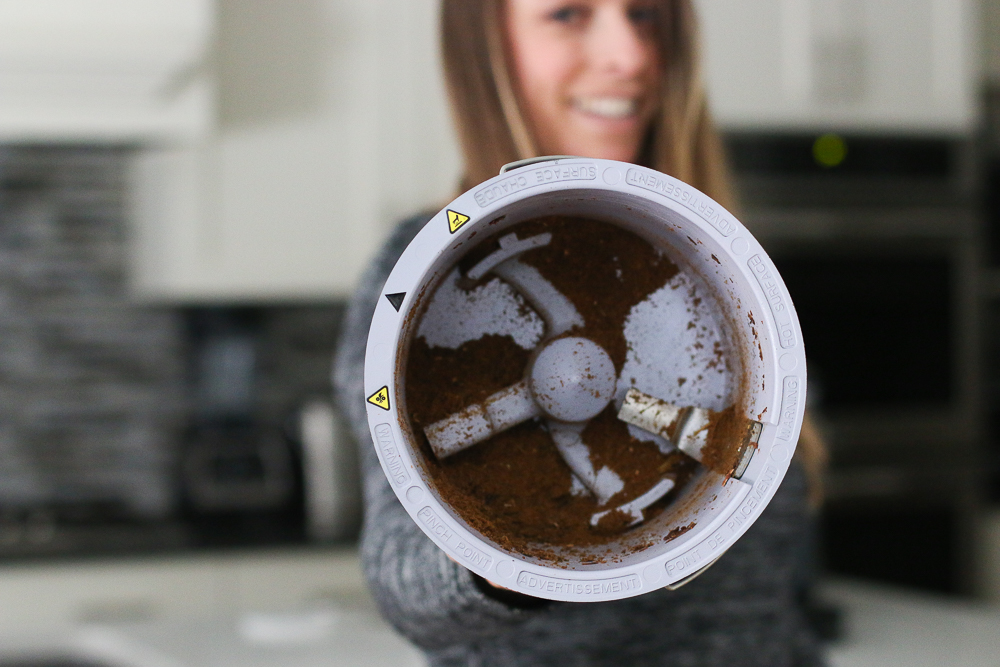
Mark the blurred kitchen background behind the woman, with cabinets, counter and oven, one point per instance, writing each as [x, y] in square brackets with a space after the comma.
[189, 190]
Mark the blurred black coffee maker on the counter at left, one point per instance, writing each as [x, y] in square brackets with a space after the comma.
[240, 475]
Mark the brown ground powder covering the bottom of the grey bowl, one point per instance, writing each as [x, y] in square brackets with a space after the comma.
[514, 488]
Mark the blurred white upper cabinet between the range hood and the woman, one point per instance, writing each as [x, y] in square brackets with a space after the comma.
[332, 125]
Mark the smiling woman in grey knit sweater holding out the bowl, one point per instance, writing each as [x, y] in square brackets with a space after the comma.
[614, 79]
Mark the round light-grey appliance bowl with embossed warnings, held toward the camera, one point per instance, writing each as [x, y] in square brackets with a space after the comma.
[725, 292]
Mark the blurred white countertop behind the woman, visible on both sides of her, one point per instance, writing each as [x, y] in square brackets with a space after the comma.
[311, 610]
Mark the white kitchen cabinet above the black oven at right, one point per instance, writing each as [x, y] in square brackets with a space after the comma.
[843, 65]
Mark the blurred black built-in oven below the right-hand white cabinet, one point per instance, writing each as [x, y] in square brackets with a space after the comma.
[890, 235]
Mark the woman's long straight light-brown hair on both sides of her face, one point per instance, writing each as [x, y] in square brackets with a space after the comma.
[682, 140]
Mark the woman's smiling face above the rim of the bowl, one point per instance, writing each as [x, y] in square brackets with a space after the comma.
[587, 73]
